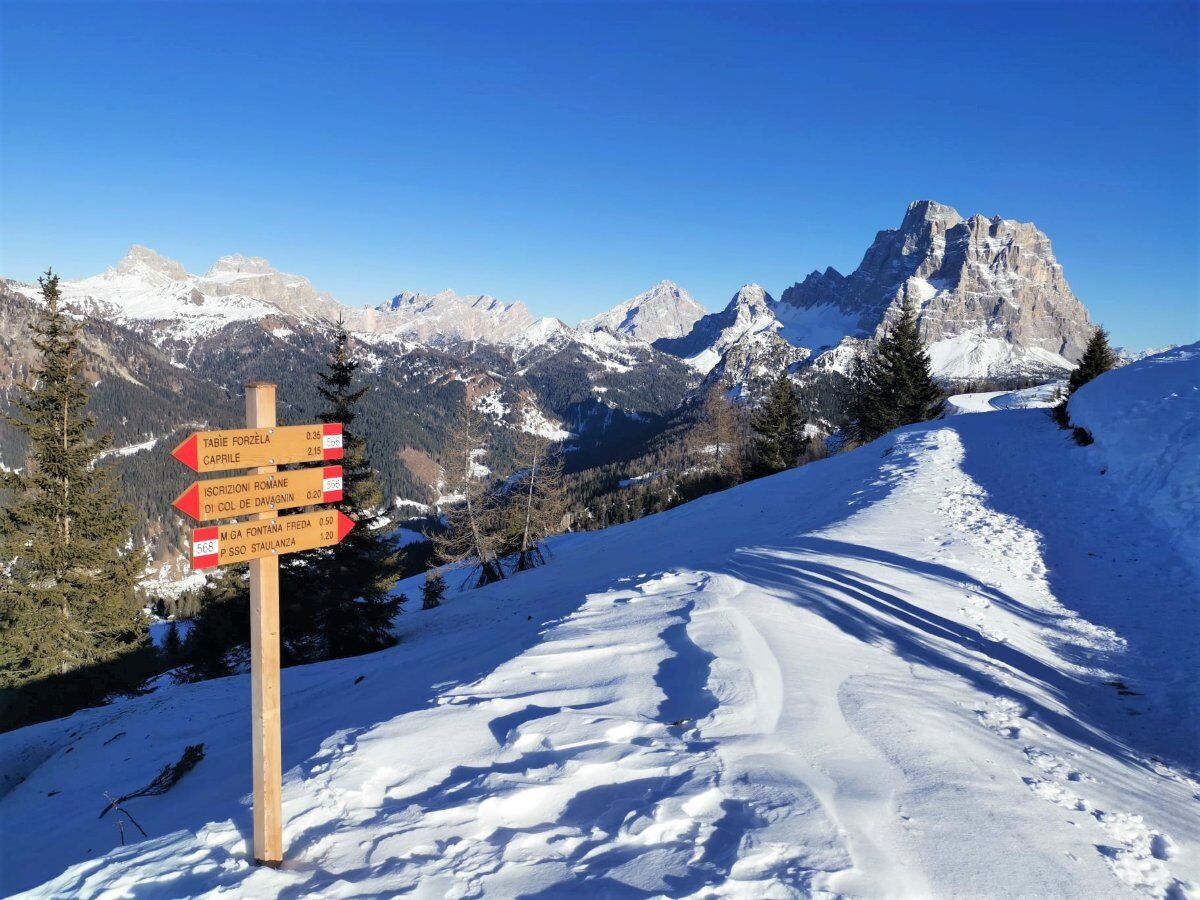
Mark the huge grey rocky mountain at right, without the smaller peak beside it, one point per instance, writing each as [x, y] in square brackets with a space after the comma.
[992, 297]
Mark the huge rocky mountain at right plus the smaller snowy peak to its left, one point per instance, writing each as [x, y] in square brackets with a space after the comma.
[992, 299]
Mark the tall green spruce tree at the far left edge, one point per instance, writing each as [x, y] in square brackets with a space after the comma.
[71, 629]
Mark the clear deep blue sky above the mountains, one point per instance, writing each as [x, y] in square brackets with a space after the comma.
[572, 155]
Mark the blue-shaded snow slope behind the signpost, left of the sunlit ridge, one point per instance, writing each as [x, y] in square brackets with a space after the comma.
[316, 713]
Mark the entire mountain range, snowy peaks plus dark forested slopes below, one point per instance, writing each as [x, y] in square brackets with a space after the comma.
[993, 299]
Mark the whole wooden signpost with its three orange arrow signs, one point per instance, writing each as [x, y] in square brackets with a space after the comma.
[263, 447]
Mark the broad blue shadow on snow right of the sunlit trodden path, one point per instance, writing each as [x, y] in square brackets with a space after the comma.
[1114, 567]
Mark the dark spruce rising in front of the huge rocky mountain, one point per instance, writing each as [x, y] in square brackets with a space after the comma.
[893, 387]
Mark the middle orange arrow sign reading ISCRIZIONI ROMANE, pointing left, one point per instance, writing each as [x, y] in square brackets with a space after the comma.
[248, 495]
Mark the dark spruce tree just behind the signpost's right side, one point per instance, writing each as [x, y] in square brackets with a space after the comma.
[344, 593]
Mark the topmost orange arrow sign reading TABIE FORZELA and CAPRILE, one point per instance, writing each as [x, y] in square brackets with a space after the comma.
[251, 448]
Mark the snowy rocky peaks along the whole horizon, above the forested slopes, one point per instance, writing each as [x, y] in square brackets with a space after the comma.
[992, 297]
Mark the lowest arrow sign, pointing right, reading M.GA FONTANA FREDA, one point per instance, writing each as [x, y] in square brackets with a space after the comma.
[225, 545]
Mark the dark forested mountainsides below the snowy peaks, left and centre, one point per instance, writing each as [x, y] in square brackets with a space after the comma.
[152, 388]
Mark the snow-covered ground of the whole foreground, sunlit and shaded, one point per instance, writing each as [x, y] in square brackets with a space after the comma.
[953, 663]
